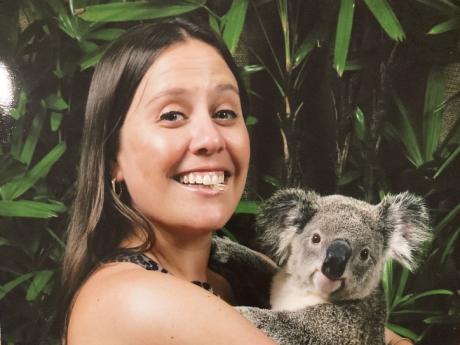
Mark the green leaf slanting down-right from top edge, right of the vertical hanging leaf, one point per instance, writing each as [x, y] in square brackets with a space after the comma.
[384, 14]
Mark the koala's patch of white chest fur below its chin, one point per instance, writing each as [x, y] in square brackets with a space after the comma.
[286, 294]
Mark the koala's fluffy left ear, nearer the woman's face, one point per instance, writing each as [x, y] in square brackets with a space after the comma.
[284, 215]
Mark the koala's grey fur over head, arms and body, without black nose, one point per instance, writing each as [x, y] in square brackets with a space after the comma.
[353, 313]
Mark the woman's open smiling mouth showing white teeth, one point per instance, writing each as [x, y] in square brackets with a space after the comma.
[204, 179]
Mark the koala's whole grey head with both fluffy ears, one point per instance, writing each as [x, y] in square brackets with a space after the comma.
[336, 246]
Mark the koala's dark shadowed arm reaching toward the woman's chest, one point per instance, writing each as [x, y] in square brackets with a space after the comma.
[248, 272]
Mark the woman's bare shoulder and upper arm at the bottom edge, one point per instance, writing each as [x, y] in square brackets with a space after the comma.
[125, 304]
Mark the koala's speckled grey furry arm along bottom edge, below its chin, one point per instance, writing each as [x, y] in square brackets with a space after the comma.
[347, 323]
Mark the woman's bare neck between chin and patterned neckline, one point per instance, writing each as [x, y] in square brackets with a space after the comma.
[183, 256]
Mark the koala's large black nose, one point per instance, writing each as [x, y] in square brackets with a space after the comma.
[337, 256]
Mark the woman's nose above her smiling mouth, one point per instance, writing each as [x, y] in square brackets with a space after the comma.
[207, 137]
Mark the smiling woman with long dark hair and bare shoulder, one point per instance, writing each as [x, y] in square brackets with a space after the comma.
[165, 155]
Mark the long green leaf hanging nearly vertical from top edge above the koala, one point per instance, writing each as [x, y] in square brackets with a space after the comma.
[343, 34]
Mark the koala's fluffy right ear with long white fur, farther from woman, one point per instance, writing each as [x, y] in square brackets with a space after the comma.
[406, 226]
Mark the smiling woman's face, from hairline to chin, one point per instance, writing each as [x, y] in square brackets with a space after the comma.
[185, 129]
